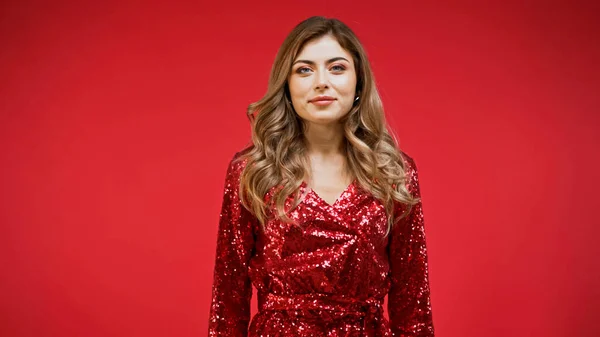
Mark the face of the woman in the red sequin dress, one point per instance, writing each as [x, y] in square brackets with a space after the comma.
[322, 82]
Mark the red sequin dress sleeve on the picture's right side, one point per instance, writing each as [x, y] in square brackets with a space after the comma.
[409, 306]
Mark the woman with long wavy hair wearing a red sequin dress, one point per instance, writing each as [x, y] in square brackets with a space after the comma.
[321, 213]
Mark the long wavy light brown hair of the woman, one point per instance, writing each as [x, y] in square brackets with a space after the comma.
[277, 155]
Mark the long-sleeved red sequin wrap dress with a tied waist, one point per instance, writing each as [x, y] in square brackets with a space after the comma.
[327, 279]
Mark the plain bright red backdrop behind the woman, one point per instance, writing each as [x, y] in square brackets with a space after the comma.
[118, 119]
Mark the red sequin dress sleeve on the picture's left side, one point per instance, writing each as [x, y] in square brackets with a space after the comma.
[232, 289]
